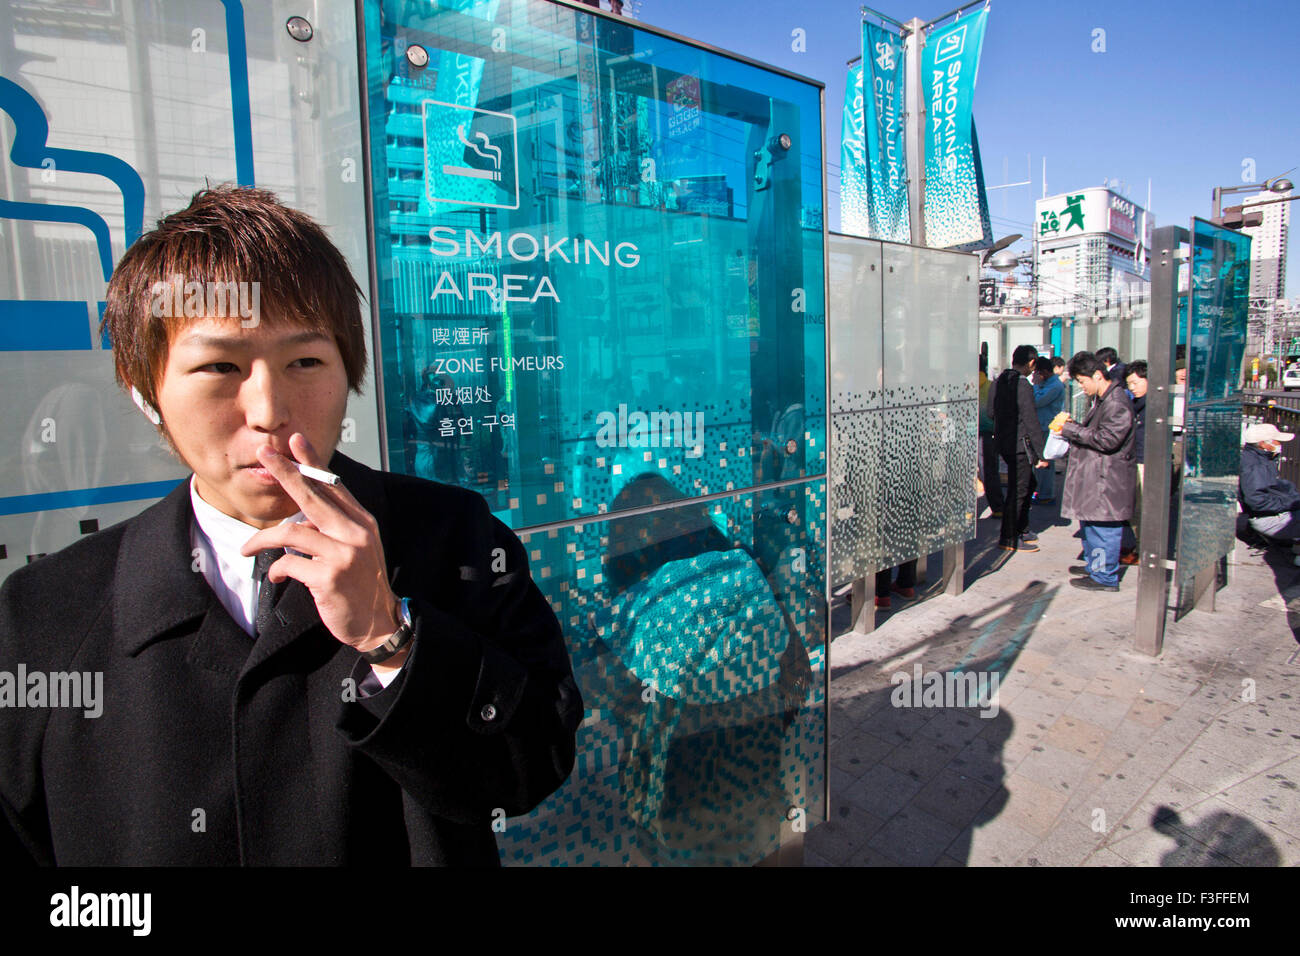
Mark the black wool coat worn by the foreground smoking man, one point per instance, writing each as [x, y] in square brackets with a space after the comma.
[215, 750]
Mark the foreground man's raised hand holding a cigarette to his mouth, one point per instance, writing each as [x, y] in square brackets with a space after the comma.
[344, 569]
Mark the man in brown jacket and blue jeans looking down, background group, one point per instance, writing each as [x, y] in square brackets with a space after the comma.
[1102, 481]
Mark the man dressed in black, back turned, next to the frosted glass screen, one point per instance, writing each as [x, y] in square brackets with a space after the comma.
[1020, 443]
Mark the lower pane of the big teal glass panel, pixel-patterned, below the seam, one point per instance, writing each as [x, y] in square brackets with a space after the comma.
[699, 641]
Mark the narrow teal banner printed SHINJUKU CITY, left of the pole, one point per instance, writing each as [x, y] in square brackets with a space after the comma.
[883, 106]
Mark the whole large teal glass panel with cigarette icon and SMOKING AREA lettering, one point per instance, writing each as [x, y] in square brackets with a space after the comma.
[601, 293]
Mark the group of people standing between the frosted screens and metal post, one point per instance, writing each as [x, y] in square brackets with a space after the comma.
[1026, 430]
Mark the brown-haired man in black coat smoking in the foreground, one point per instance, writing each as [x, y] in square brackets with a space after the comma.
[382, 685]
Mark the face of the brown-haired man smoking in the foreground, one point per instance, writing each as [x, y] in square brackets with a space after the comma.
[228, 391]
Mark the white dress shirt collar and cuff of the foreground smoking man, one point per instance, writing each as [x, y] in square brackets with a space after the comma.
[216, 539]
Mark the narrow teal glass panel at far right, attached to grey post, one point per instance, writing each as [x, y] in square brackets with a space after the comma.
[1216, 348]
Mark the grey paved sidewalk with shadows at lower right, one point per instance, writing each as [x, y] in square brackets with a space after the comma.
[1098, 755]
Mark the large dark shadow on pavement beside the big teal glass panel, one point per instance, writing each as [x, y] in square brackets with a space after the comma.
[915, 776]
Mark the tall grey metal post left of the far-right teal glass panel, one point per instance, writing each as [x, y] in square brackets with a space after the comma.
[1163, 338]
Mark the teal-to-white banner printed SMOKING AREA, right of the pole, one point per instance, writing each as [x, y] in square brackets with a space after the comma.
[955, 189]
